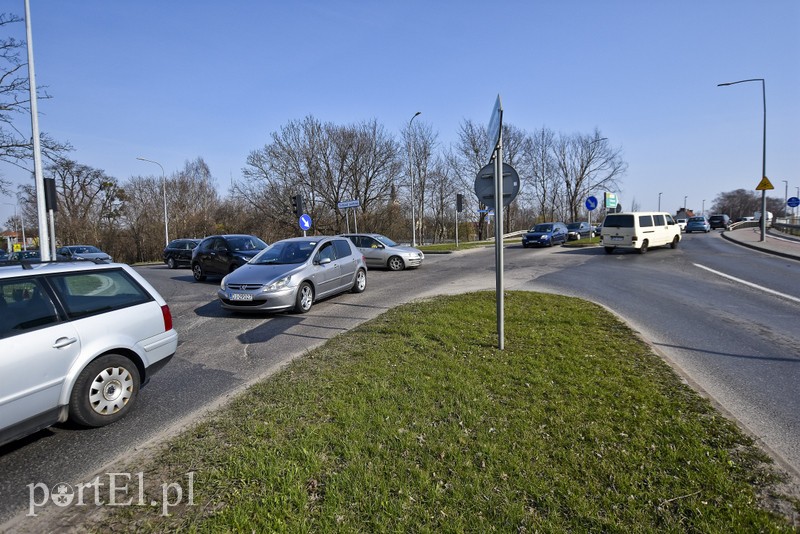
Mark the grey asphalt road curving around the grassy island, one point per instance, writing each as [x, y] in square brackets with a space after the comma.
[737, 343]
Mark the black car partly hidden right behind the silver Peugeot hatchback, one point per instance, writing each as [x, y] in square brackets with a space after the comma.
[219, 255]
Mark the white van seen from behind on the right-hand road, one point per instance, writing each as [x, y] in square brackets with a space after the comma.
[640, 230]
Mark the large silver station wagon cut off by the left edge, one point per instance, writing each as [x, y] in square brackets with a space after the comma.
[78, 340]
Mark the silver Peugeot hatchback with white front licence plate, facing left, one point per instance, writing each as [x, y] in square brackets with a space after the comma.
[294, 273]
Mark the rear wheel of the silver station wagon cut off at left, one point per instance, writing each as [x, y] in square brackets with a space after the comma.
[104, 391]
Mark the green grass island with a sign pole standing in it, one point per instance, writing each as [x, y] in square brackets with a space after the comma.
[415, 422]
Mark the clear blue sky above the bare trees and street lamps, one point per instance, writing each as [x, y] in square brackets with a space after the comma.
[175, 80]
